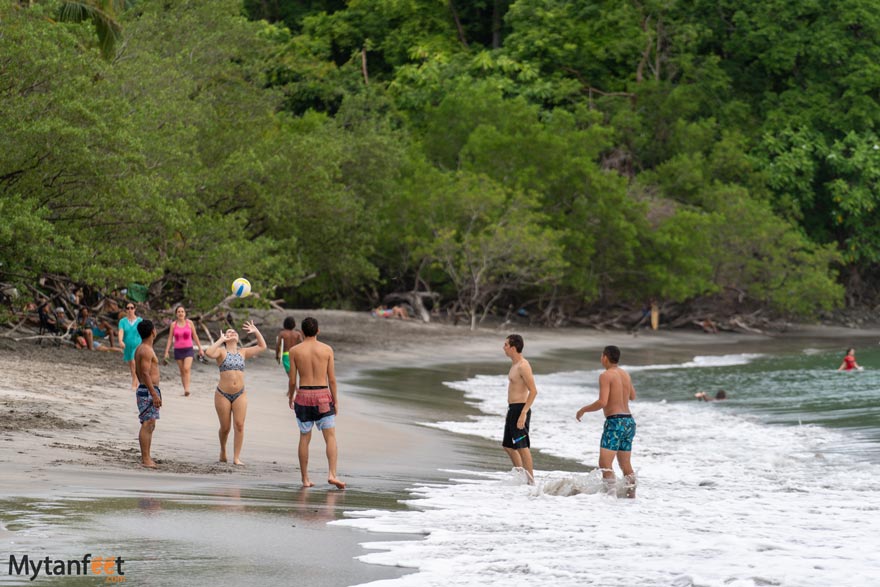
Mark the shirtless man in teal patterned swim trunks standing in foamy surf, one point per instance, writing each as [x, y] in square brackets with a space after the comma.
[615, 391]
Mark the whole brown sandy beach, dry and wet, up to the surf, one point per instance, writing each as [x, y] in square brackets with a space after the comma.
[70, 481]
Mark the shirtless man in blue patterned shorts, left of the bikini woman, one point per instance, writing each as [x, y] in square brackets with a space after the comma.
[149, 398]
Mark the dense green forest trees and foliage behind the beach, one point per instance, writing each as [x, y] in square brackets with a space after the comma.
[555, 155]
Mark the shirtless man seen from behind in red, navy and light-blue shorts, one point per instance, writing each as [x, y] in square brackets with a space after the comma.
[314, 400]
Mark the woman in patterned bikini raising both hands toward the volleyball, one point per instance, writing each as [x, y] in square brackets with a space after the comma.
[230, 399]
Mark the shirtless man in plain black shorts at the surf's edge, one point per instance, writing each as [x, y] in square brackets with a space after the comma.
[521, 393]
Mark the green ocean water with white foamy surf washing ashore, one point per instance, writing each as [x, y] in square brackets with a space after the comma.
[780, 485]
